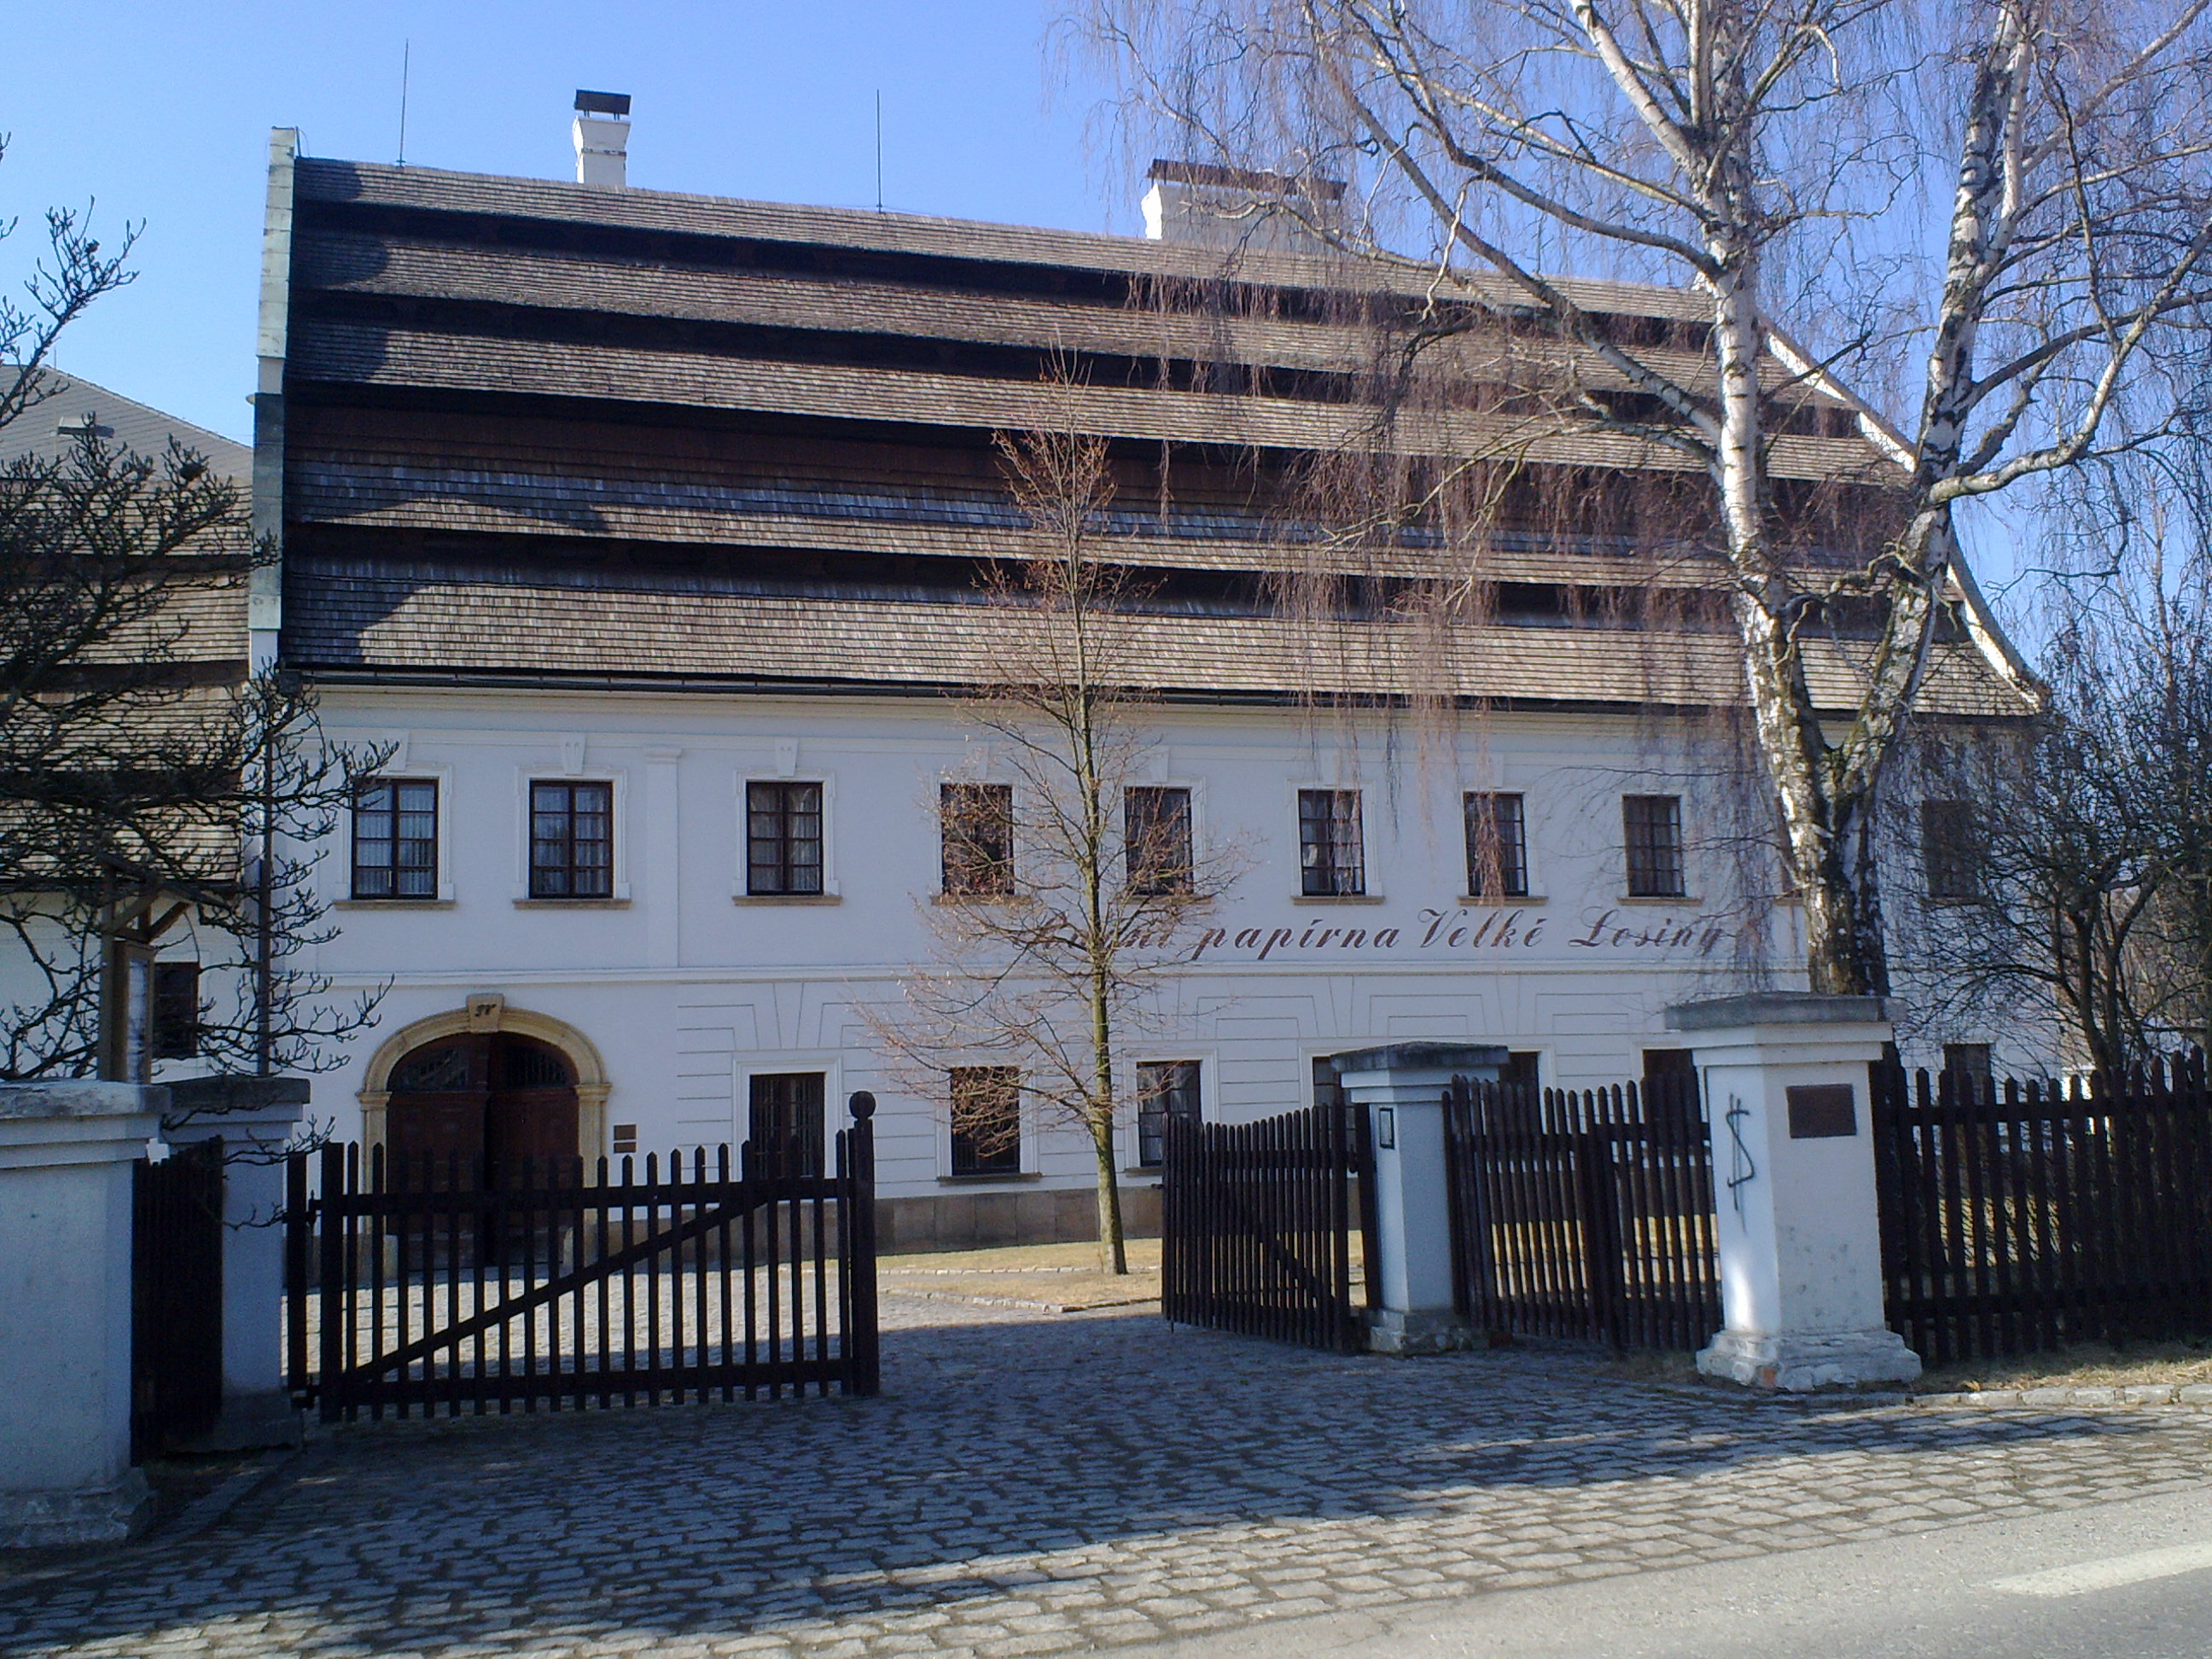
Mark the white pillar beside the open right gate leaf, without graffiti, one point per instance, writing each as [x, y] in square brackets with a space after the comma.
[1401, 1087]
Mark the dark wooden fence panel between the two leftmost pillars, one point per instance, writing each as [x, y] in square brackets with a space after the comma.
[176, 1297]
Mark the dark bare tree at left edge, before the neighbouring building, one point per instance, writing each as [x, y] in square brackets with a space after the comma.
[143, 784]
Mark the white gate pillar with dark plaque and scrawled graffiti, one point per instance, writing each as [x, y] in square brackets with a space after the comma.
[1793, 1178]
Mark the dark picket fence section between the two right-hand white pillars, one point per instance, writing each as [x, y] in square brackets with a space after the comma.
[1583, 1215]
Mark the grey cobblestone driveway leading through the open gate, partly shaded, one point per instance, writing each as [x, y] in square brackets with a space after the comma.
[1041, 1483]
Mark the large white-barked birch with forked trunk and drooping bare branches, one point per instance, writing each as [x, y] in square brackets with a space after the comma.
[1992, 216]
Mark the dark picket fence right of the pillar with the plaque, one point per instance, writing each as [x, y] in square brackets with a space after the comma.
[2027, 1215]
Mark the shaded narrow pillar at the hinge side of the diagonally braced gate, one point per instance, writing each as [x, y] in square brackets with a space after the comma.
[258, 1120]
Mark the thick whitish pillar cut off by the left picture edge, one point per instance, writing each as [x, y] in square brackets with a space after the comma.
[65, 1311]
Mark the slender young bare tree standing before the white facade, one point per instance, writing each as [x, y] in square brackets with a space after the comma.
[1072, 879]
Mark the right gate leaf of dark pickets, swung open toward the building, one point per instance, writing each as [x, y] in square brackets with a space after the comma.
[1258, 1227]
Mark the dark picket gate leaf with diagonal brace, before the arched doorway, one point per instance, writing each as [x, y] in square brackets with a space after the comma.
[424, 1286]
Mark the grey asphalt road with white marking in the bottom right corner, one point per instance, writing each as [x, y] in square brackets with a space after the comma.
[2109, 1583]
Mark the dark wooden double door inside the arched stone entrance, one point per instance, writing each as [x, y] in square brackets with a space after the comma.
[488, 1105]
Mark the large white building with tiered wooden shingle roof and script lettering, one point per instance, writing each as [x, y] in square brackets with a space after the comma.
[640, 534]
